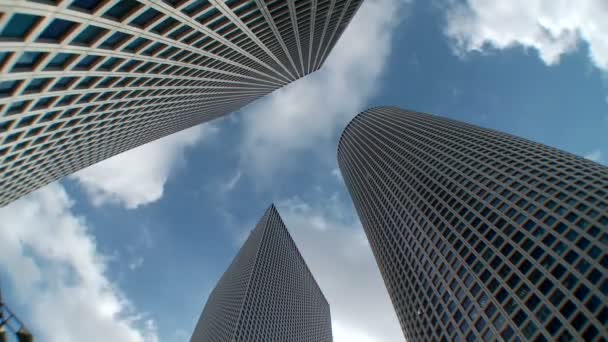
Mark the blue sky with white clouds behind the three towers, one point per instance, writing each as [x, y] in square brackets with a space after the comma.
[129, 249]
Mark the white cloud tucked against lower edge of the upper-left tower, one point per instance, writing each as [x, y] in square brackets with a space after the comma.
[138, 176]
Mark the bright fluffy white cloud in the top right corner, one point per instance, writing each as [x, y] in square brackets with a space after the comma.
[551, 27]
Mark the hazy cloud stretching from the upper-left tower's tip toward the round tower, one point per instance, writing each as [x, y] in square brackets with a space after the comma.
[309, 112]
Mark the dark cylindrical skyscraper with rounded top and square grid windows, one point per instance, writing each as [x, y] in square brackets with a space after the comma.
[478, 233]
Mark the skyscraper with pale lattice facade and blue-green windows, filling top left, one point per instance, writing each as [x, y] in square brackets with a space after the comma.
[83, 80]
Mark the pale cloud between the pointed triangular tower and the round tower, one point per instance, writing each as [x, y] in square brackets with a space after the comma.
[335, 248]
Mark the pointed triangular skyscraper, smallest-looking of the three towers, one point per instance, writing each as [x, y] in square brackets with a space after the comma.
[267, 293]
